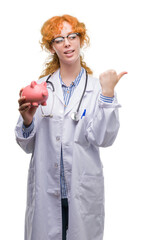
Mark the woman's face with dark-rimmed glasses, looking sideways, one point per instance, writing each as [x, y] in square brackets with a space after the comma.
[68, 50]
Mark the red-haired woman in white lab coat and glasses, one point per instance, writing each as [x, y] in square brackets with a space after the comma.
[65, 182]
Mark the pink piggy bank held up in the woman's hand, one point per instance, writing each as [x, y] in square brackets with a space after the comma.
[36, 93]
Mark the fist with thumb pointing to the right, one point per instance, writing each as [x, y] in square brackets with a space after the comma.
[108, 81]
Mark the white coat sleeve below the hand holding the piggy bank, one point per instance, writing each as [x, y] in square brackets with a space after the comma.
[27, 144]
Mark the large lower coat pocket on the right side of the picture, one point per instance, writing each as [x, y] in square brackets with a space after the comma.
[91, 195]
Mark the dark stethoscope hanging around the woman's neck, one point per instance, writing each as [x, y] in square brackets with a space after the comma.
[75, 115]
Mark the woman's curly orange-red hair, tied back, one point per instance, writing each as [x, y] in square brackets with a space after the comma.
[53, 27]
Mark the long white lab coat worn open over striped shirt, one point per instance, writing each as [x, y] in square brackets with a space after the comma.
[82, 165]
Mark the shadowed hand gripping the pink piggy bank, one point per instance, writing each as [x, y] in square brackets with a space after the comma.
[26, 110]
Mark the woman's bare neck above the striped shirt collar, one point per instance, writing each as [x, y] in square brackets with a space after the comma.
[69, 72]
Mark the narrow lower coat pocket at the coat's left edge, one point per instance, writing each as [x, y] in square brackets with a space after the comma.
[30, 187]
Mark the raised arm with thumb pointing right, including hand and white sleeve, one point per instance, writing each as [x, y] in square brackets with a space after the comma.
[102, 129]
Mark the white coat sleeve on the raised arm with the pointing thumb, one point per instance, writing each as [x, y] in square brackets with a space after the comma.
[103, 127]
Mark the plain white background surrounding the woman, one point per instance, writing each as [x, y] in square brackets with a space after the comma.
[114, 28]
